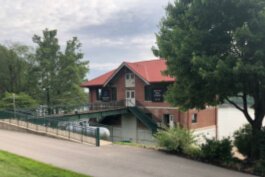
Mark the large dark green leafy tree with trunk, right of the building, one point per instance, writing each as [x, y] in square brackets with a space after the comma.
[216, 51]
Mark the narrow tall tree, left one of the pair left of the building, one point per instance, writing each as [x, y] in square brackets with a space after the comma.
[47, 57]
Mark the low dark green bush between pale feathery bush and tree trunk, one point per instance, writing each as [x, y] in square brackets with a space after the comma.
[217, 151]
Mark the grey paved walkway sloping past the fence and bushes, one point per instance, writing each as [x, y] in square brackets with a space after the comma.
[107, 161]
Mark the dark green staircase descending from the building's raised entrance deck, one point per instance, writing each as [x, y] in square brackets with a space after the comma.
[146, 120]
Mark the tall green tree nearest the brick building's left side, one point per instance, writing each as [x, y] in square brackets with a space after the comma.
[71, 72]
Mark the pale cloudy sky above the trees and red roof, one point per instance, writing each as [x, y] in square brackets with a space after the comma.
[111, 31]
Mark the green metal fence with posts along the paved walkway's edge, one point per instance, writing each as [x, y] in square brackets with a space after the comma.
[55, 126]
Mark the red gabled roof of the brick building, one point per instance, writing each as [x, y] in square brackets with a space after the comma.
[149, 71]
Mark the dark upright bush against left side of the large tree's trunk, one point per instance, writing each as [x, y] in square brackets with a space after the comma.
[242, 140]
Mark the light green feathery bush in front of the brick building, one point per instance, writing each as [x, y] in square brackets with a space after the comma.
[175, 139]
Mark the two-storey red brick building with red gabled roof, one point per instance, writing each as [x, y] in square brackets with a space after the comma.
[141, 85]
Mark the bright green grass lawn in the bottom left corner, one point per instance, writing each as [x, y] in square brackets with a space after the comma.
[12, 165]
